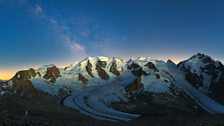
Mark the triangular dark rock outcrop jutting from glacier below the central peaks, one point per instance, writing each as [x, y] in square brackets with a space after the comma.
[136, 85]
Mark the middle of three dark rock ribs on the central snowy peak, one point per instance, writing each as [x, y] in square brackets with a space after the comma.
[101, 72]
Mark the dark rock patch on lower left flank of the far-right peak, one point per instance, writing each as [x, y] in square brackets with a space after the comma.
[194, 79]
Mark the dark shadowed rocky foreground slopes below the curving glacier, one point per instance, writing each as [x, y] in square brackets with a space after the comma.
[45, 111]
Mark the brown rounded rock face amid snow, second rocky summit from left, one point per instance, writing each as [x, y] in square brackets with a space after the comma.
[52, 74]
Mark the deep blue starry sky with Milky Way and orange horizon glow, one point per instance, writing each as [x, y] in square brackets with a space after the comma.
[34, 33]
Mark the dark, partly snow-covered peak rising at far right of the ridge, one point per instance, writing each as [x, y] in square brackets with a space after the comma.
[204, 73]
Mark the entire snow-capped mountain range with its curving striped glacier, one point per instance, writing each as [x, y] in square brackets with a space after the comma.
[116, 90]
